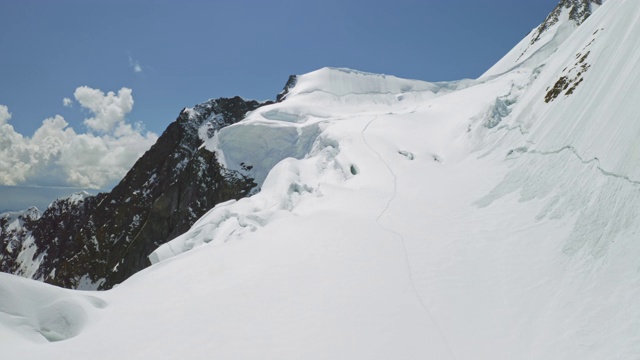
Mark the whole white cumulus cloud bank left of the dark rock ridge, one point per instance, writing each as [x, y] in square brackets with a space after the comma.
[57, 155]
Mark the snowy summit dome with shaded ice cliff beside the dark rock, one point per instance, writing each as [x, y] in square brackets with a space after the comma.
[290, 129]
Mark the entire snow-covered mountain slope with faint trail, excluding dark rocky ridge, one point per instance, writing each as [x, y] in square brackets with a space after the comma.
[493, 218]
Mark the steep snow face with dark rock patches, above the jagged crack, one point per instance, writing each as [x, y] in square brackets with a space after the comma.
[583, 98]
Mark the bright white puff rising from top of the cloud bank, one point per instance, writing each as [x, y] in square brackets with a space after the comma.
[109, 109]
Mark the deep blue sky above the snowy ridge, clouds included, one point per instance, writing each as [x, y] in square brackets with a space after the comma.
[172, 54]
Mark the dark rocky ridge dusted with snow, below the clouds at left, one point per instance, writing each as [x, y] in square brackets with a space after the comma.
[99, 241]
